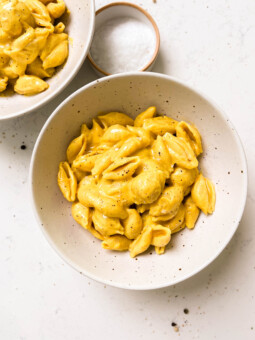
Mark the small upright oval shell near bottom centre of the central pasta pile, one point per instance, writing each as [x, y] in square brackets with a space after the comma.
[132, 224]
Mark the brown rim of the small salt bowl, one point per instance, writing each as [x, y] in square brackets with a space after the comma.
[154, 25]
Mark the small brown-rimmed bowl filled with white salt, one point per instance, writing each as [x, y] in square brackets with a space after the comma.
[107, 56]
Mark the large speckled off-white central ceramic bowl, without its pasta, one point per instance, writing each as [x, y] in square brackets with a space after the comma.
[223, 162]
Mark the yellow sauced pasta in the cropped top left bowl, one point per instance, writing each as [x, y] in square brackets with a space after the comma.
[32, 45]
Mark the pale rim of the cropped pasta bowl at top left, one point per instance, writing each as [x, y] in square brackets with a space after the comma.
[68, 79]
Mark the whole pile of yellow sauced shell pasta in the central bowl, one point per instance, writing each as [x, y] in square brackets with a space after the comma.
[134, 183]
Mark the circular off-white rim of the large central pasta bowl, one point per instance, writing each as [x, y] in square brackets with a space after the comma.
[243, 195]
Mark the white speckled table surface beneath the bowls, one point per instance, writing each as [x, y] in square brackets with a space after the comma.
[208, 44]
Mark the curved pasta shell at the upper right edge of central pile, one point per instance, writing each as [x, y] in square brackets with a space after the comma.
[191, 135]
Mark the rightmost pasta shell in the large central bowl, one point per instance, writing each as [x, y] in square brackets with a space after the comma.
[203, 194]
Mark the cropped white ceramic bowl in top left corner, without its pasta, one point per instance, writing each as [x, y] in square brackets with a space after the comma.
[80, 27]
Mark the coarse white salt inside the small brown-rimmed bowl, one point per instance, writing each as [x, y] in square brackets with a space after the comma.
[123, 44]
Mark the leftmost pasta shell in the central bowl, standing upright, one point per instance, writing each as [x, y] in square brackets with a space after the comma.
[67, 181]
